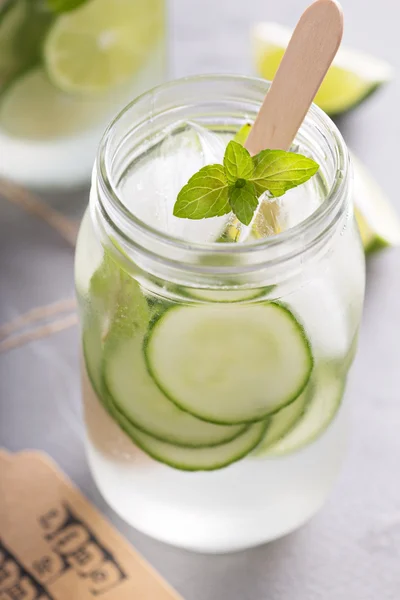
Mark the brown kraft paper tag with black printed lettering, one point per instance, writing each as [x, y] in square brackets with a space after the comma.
[54, 545]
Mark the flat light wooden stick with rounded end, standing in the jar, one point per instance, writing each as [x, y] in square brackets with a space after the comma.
[310, 52]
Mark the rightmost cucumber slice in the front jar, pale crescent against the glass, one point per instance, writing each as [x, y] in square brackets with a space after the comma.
[326, 392]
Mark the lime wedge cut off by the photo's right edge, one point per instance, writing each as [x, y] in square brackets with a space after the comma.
[377, 220]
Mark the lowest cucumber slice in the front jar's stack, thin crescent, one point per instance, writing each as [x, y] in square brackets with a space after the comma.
[195, 459]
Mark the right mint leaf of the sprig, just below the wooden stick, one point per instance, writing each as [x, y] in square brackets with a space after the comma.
[277, 171]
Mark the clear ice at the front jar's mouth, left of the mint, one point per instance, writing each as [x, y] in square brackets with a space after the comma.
[151, 188]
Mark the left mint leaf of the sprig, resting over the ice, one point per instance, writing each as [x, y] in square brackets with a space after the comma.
[205, 195]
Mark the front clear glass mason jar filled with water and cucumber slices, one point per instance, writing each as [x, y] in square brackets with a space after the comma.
[214, 373]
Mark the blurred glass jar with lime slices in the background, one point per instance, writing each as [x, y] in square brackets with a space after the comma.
[66, 67]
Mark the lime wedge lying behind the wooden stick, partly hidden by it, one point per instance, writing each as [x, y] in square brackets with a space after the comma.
[352, 77]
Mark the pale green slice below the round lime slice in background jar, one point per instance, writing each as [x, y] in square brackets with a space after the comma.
[32, 108]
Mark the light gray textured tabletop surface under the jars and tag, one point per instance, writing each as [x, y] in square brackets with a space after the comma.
[351, 549]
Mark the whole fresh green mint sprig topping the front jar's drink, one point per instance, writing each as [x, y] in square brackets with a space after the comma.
[237, 185]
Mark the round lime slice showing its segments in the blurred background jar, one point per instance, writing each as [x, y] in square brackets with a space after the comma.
[102, 44]
